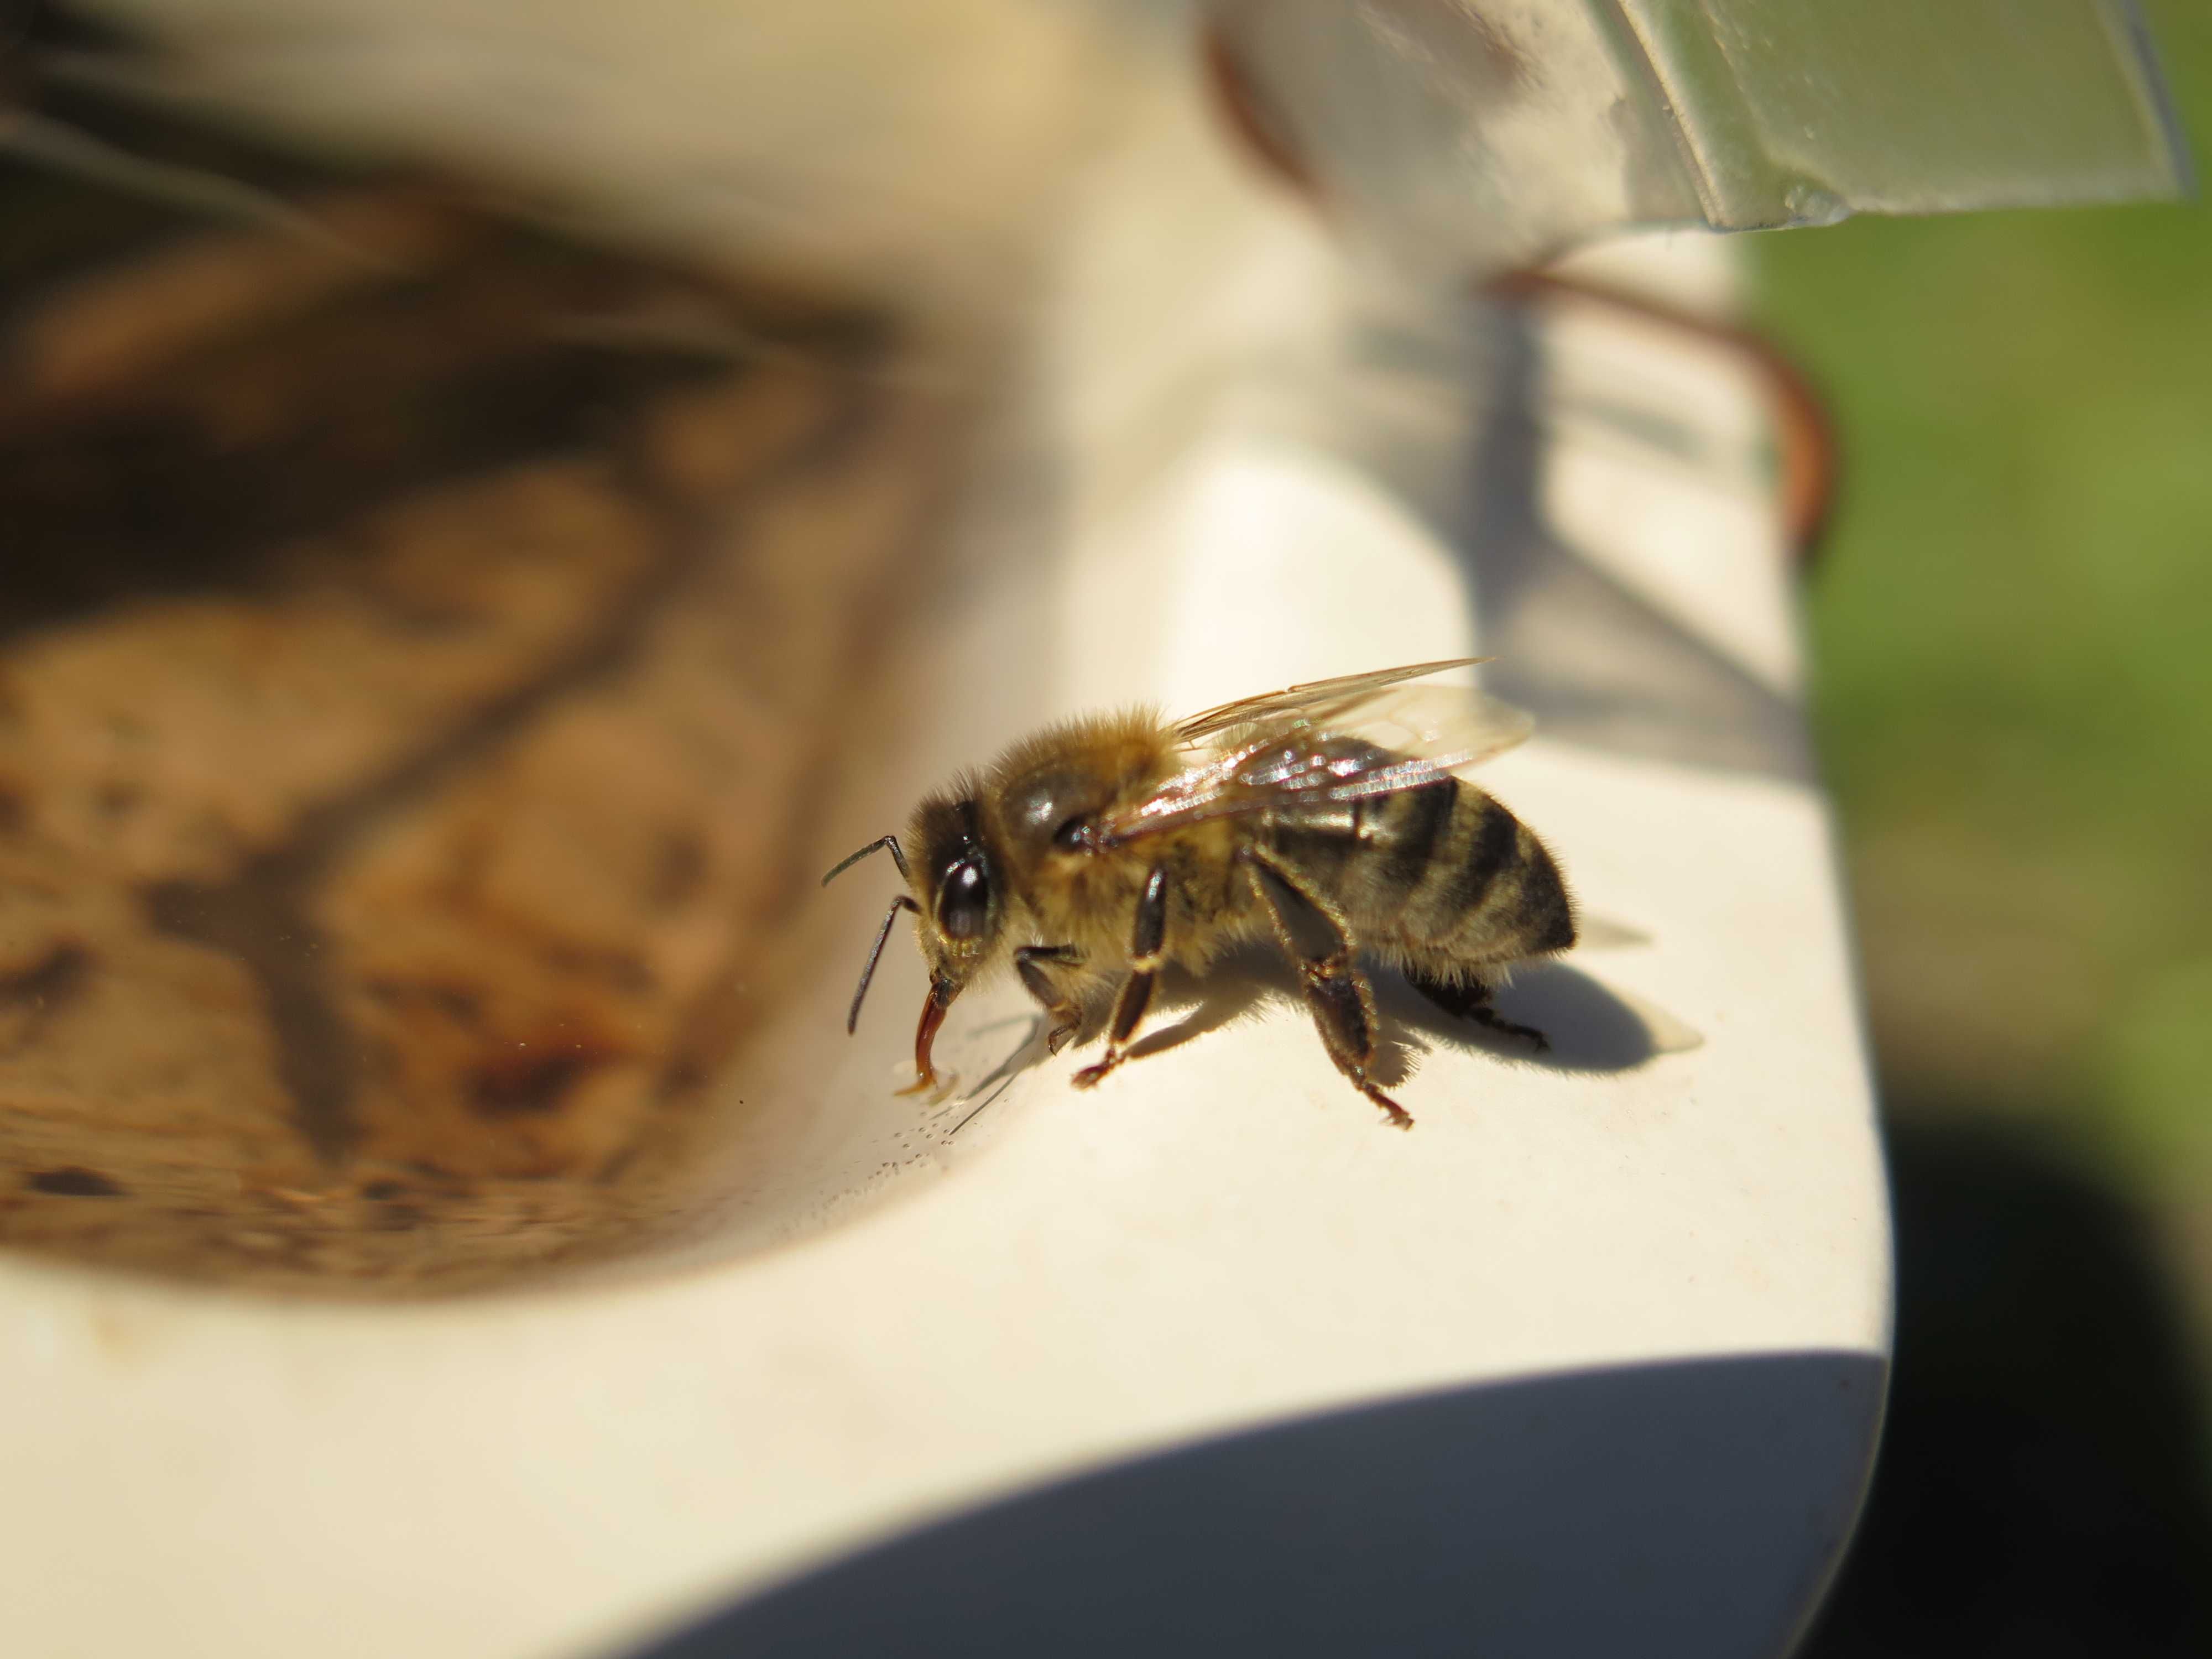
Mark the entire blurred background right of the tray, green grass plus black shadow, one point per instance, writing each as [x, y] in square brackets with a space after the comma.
[2014, 689]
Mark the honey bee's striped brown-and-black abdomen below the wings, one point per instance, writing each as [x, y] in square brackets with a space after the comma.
[1441, 873]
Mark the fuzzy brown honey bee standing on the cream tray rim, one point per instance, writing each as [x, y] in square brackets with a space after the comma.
[1328, 817]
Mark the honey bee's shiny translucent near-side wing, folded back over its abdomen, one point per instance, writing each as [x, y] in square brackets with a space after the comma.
[1335, 751]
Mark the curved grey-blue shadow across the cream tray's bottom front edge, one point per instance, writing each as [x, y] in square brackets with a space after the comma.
[1656, 1510]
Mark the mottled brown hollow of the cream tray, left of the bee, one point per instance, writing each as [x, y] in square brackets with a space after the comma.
[410, 713]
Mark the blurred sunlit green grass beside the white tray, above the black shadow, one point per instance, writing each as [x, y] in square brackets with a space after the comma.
[2012, 634]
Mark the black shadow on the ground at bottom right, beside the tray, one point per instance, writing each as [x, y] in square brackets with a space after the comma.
[2045, 1470]
